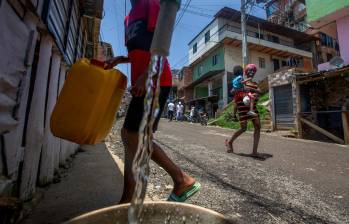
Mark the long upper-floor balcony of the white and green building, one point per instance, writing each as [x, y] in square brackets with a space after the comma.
[231, 35]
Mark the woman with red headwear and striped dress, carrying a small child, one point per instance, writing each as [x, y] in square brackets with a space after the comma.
[244, 116]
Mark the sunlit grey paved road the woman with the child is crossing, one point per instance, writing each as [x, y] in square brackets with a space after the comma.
[303, 181]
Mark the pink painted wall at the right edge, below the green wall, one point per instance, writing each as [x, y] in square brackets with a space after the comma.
[343, 37]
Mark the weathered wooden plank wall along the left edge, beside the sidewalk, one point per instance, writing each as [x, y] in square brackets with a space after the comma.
[24, 81]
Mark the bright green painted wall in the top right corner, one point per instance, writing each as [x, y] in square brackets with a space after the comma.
[316, 9]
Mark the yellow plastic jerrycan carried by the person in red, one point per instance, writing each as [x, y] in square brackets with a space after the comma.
[87, 105]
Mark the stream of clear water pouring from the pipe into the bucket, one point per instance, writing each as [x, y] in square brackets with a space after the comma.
[140, 165]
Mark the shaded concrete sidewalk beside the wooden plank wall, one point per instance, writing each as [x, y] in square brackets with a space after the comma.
[94, 181]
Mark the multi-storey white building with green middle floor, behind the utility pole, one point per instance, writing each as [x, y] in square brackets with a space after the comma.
[215, 51]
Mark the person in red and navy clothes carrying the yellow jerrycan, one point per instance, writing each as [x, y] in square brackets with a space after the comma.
[140, 25]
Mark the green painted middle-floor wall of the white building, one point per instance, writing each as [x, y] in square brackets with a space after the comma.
[207, 64]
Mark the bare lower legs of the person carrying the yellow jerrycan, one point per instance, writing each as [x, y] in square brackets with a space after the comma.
[181, 180]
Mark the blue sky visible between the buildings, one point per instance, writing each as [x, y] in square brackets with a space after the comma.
[195, 18]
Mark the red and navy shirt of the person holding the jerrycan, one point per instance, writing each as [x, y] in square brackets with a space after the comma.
[139, 31]
